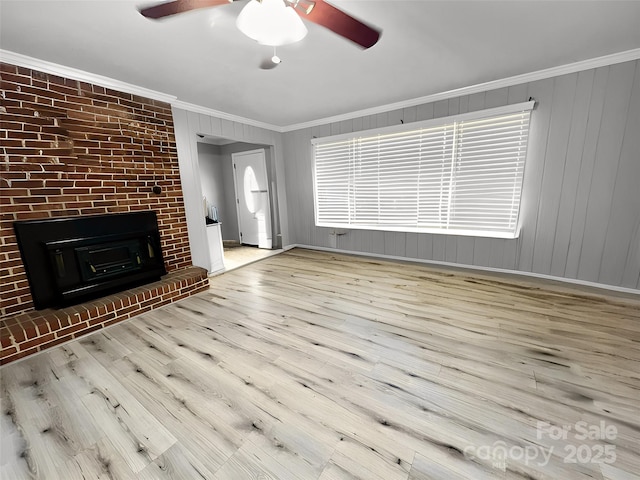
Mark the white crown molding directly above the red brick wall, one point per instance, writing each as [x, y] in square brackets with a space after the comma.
[75, 74]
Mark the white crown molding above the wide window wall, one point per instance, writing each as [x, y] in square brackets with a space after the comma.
[628, 55]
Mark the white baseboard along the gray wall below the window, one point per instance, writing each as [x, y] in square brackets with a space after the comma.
[573, 281]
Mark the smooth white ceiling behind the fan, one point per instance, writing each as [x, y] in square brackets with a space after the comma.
[427, 47]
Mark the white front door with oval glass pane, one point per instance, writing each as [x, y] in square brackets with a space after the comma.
[252, 198]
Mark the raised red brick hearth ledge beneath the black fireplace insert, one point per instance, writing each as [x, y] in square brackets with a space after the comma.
[31, 332]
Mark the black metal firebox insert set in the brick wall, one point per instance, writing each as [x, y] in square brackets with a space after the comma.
[73, 259]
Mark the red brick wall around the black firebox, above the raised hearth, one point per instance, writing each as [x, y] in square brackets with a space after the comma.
[71, 148]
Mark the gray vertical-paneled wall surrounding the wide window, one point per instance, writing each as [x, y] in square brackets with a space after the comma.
[581, 196]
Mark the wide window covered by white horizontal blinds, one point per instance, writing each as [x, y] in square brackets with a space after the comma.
[459, 175]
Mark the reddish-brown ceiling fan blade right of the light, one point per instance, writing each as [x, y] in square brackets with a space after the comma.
[339, 22]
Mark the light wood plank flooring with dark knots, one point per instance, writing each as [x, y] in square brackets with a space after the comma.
[310, 365]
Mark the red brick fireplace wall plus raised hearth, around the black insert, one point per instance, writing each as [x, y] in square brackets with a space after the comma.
[70, 148]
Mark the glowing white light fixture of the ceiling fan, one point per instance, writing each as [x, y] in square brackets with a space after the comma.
[271, 22]
